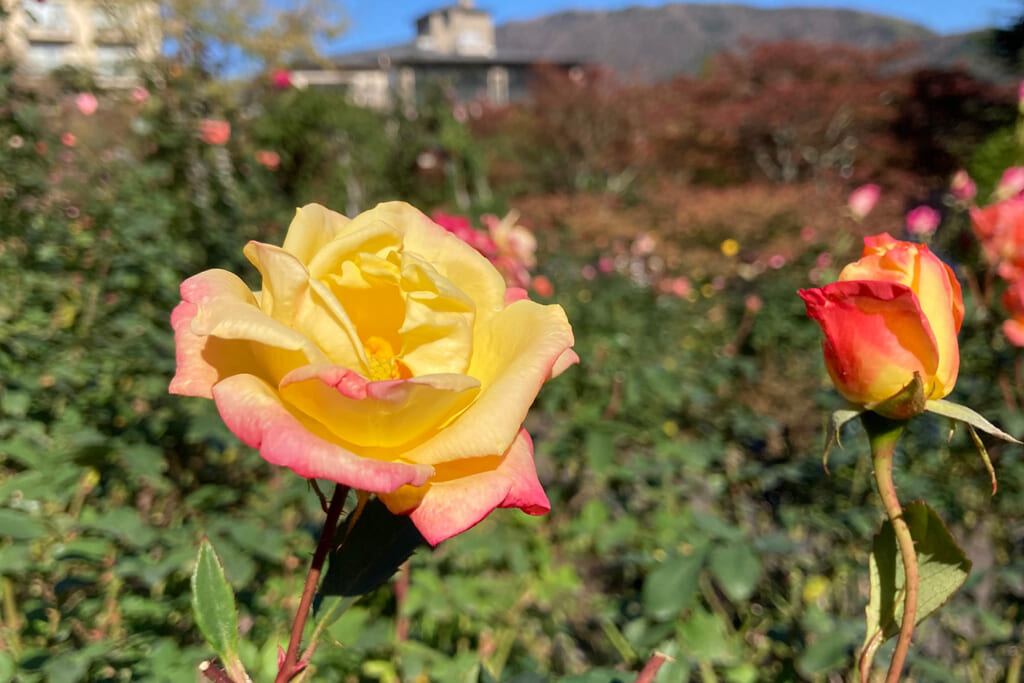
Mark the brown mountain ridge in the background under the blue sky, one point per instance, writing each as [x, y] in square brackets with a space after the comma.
[657, 44]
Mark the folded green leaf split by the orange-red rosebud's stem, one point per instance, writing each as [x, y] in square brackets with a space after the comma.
[943, 570]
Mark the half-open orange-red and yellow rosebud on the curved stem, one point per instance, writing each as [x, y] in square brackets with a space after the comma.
[893, 315]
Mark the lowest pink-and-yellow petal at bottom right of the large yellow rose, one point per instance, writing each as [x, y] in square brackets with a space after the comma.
[463, 493]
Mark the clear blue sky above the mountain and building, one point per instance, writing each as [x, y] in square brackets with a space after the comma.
[381, 23]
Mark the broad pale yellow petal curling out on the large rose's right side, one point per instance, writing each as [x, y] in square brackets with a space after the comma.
[514, 357]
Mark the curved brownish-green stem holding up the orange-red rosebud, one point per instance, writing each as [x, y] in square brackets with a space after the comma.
[884, 435]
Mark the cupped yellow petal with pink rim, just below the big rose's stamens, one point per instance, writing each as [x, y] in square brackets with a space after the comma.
[382, 416]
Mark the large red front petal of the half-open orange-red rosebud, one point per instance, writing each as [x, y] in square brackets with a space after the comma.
[876, 338]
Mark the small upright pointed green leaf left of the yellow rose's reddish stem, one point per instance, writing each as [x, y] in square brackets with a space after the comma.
[214, 604]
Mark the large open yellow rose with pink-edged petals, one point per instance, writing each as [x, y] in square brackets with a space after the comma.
[385, 354]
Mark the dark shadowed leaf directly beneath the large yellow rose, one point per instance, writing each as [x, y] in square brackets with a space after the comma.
[375, 547]
